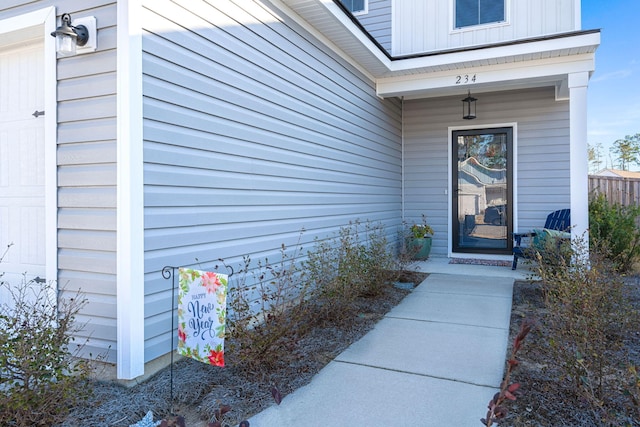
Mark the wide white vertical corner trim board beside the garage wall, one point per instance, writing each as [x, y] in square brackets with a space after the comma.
[130, 196]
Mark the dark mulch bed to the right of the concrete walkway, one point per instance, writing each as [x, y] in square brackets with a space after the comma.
[545, 397]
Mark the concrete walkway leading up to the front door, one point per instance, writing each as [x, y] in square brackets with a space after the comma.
[436, 359]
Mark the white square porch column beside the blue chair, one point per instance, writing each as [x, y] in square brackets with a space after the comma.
[578, 163]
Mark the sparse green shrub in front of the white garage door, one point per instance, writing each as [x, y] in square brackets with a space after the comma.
[39, 377]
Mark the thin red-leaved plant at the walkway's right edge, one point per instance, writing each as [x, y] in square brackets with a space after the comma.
[497, 409]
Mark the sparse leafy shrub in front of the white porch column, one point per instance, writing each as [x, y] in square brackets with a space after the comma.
[587, 313]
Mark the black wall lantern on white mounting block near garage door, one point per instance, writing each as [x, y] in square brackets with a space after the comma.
[73, 39]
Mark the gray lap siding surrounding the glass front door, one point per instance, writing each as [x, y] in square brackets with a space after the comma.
[541, 136]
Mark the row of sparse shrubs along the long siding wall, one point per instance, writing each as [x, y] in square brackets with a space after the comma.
[271, 305]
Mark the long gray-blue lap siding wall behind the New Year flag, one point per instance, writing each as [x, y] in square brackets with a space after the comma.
[253, 130]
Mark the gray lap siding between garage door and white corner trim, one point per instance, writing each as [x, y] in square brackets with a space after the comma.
[86, 172]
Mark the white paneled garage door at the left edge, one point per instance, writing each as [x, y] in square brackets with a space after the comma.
[22, 185]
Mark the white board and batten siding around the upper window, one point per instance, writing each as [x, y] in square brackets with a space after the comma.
[428, 25]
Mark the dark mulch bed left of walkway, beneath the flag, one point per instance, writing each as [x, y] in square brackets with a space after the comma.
[200, 389]
